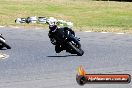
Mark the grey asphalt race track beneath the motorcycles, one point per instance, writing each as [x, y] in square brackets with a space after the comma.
[33, 63]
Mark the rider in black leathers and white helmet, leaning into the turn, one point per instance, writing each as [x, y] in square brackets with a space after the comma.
[53, 27]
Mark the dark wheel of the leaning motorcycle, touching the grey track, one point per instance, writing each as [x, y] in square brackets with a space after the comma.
[76, 47]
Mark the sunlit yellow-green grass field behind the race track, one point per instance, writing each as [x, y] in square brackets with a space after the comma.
[85, 14]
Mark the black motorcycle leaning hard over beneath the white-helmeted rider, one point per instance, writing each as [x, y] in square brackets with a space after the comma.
[66, 40]
